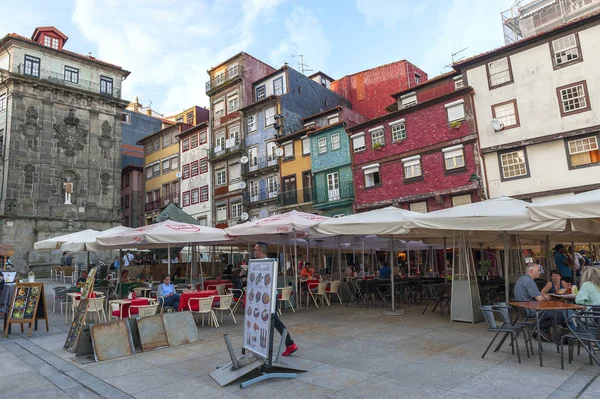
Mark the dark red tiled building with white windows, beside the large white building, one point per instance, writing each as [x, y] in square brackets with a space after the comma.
[421, 156]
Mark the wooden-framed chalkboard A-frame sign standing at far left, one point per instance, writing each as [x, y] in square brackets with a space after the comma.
[28, 304]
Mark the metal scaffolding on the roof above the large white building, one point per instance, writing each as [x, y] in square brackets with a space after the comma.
[529, 18]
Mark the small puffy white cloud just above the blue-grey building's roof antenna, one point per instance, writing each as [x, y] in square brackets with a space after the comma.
[305, 36]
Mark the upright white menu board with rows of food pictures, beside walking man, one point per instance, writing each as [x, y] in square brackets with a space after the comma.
[261, 300]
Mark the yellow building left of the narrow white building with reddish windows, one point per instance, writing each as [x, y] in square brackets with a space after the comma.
[161, 164]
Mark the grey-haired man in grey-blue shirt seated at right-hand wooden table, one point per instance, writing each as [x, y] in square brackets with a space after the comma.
[527, 290]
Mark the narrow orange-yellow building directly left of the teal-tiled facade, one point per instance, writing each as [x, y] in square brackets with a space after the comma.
[295, 173]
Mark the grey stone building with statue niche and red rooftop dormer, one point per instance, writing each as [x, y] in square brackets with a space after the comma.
[60, 125]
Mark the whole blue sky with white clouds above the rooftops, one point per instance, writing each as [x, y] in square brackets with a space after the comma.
[168, 45]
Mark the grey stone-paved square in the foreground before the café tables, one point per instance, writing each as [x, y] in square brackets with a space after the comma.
[350, 352]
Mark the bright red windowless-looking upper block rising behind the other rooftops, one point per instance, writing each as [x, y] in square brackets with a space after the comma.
[368, 90]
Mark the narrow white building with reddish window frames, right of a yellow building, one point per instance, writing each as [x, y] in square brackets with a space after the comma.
[196, 188]
